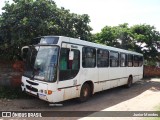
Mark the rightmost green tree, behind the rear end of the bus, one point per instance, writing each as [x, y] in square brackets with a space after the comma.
[146, 40]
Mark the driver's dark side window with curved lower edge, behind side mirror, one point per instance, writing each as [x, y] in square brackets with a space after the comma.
[68, 68]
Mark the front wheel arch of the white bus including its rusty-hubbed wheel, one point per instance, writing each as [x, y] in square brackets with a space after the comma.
[86, 91]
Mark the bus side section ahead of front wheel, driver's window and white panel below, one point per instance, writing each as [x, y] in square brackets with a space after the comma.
[69, 66]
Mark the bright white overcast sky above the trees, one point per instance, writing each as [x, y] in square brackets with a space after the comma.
[113, 12]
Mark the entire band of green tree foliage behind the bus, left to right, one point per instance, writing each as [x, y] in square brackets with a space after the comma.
[24, 20]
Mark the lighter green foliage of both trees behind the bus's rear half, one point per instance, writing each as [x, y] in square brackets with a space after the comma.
[140, 38]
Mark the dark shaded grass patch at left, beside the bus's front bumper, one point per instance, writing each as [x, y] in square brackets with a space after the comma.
[7, 92]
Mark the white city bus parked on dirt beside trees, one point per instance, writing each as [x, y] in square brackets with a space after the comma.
[60, 68]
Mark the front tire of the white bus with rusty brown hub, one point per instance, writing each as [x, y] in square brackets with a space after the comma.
[85, 93]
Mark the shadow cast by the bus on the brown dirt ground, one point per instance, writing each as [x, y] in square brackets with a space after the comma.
[99, 101]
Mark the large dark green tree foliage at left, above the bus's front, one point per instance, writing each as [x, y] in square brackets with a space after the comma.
[24, 20]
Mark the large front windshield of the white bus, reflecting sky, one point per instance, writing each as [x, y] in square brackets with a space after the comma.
[41, 63]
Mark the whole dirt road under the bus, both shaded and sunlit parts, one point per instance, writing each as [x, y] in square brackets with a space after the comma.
[142, 96]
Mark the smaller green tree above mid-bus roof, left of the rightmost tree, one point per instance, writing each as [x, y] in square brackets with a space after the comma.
[116, 36]
